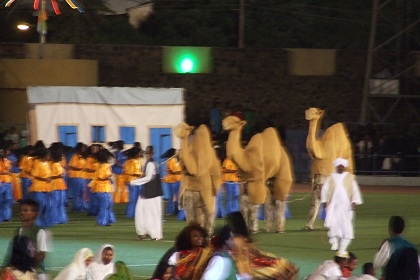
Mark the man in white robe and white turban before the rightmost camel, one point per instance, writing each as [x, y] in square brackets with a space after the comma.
[339, 195]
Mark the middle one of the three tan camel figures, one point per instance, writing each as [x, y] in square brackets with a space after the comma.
[263, 158]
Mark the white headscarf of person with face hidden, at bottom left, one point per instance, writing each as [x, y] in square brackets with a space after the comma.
[77, 268]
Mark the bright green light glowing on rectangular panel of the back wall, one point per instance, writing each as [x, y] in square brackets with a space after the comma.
[189, 60]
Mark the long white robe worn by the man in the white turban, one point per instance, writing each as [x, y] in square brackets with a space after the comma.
[339, 213]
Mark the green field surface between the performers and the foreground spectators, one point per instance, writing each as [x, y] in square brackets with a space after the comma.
[305, 249]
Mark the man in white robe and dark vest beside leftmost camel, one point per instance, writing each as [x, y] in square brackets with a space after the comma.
[148, 213]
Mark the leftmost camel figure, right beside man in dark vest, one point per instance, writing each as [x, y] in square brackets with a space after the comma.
[202, 170]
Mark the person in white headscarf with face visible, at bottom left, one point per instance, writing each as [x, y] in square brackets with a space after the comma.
[103, 263]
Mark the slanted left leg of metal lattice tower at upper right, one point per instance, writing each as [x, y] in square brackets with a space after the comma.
[369, 60]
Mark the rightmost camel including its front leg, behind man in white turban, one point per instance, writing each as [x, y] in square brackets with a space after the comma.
[334, 143]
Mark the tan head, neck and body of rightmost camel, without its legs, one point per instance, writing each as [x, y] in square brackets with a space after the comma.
[334, 143]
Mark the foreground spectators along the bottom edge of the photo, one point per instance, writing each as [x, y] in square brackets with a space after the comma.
[229, 254]
